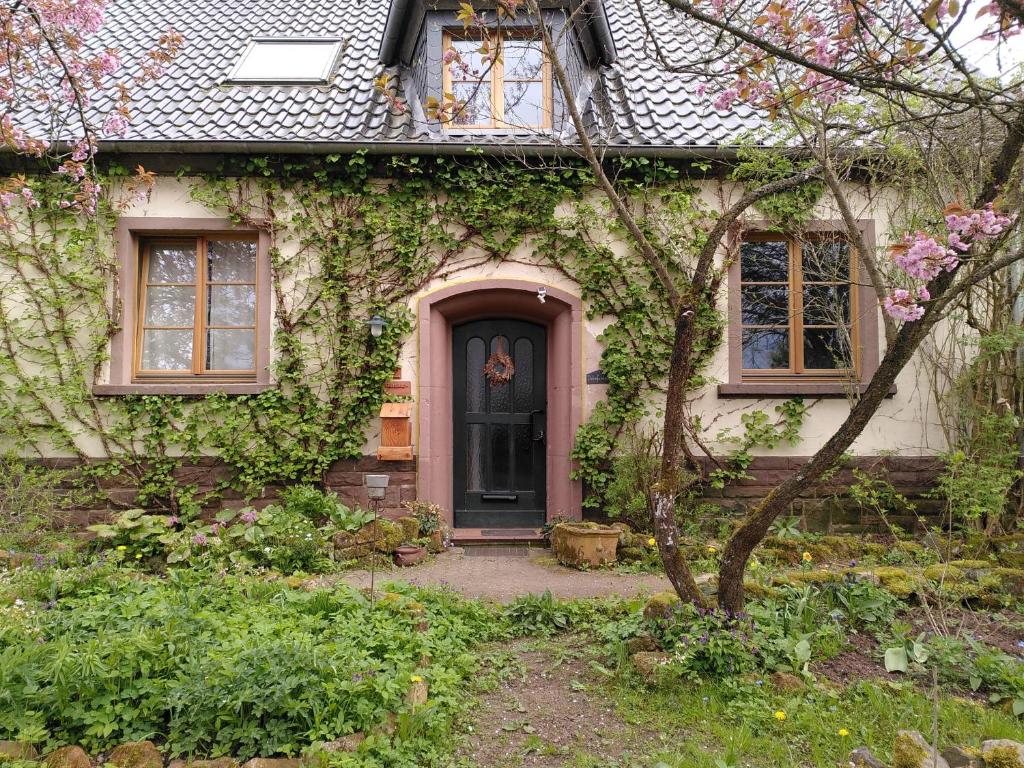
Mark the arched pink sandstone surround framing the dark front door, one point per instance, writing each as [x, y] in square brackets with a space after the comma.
[559, 321]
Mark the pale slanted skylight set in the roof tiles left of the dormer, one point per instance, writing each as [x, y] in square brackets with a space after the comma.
[287, 61]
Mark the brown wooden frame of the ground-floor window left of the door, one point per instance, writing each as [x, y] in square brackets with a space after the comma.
[200, 325]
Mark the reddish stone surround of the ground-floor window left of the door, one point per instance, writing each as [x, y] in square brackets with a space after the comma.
[121, 379]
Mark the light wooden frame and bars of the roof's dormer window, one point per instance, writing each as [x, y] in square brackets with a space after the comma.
[497, 81]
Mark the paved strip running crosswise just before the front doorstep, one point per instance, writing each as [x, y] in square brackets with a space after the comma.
[504, 578]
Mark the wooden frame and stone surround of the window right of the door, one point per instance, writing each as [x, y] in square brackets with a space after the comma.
[797, 381]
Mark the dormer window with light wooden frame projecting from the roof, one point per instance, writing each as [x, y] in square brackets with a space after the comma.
[510, 91]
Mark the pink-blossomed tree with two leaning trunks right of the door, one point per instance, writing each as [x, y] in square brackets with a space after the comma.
[844, 87]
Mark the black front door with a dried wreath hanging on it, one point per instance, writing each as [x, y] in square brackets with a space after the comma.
[500, 399]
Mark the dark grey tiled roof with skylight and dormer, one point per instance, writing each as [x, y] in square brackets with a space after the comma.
[634, 104]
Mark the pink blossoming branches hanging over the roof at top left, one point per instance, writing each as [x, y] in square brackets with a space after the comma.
[61, 93]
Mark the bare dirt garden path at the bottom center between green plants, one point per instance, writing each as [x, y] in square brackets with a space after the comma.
[551, 713]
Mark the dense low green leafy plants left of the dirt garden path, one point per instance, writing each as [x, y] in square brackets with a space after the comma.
[228, 666]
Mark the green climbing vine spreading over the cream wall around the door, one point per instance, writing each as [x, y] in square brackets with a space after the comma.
[351, 237]
